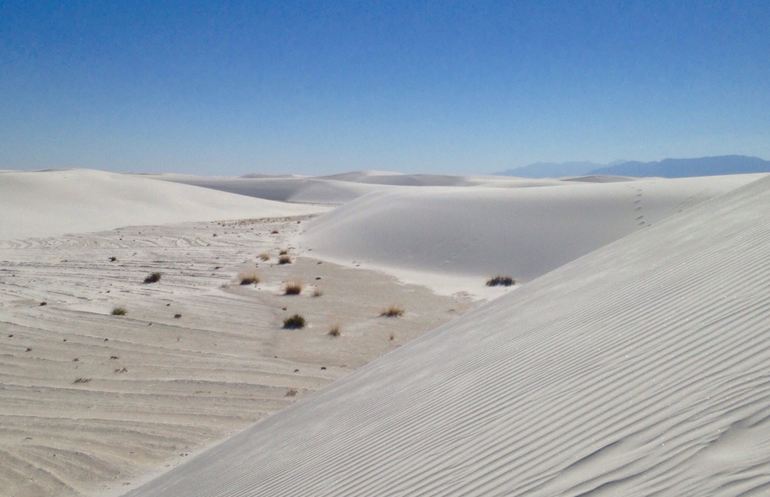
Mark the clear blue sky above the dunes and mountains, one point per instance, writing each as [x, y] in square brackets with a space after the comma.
[320, 87]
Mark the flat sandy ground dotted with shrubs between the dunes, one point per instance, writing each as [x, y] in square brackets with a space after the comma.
[91, 403]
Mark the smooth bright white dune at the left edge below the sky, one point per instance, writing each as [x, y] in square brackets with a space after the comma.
[48, 203]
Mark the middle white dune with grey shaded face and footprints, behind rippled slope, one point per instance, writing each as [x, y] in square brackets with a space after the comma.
[477, 231]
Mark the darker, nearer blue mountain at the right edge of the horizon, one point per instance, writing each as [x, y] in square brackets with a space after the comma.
[678, 168]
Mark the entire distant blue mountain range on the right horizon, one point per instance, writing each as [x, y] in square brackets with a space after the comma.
[667, 168]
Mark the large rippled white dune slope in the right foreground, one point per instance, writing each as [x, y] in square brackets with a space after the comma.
[640, 369]
